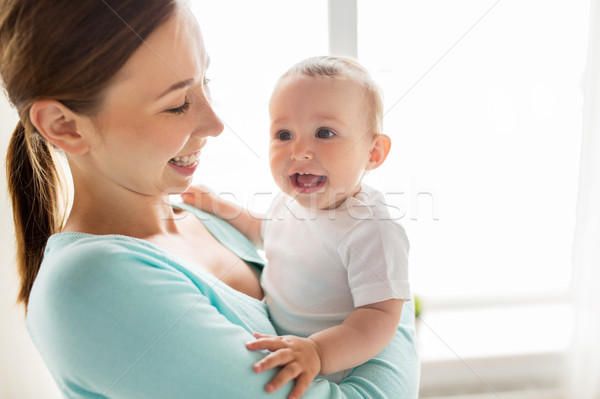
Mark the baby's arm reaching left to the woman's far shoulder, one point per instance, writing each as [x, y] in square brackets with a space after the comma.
[205, 199]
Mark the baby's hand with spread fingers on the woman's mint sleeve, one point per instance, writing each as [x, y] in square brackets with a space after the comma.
[298, 357]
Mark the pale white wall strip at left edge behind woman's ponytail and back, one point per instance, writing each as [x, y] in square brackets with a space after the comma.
[23, 375]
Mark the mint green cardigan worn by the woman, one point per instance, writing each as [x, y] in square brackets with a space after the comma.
[118, 317]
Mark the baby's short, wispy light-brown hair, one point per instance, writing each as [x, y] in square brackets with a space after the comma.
[344, 67]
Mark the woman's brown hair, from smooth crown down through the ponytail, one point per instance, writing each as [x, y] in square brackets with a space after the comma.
[67, 51]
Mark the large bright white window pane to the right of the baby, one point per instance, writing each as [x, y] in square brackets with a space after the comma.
[492, 132]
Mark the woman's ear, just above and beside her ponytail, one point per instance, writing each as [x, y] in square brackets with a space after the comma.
[58, 124]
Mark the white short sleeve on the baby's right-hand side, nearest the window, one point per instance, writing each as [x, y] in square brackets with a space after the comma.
[375, 252]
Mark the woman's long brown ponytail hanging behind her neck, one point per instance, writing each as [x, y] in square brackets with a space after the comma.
[34, 187]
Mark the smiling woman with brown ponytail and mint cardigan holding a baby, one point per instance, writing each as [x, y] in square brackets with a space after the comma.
[136, 298]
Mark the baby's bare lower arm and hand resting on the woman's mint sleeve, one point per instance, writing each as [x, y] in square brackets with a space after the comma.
[362, 335]
